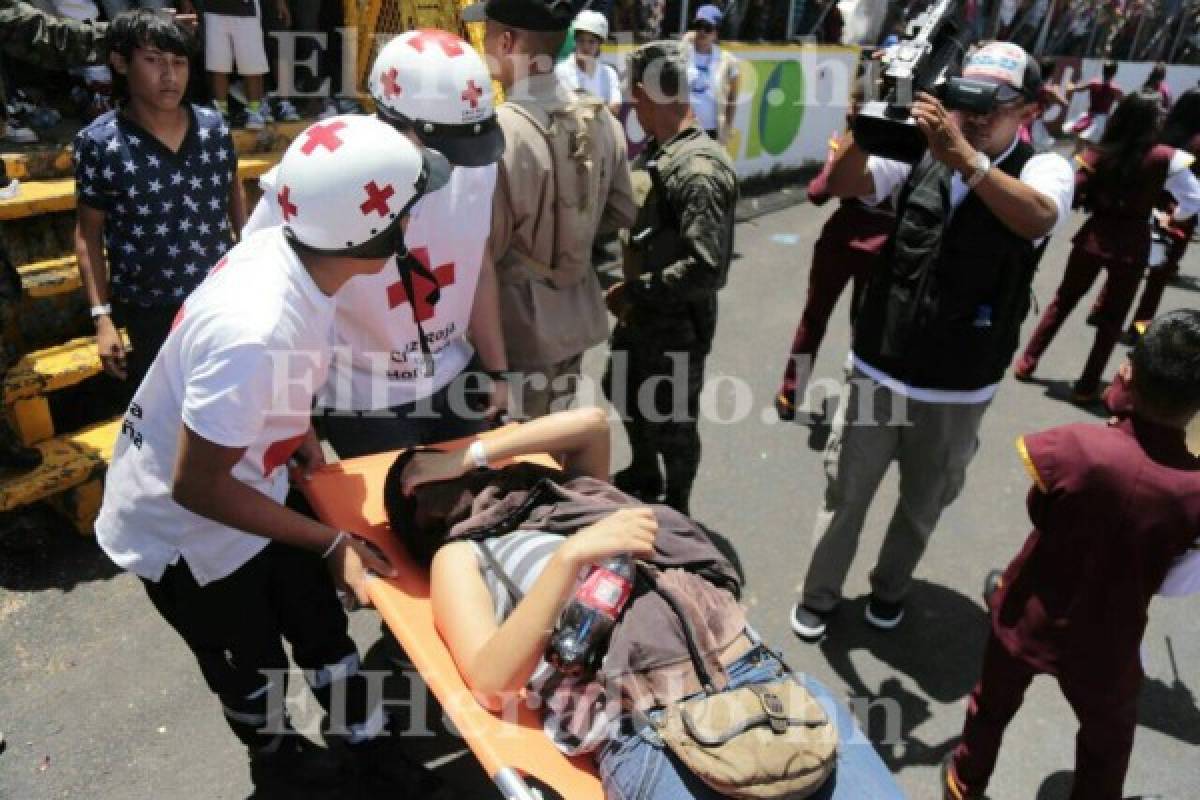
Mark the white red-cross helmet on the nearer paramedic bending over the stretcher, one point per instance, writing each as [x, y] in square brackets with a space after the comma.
[346, 183]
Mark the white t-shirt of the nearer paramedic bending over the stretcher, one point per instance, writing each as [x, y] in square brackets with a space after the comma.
[249, 351]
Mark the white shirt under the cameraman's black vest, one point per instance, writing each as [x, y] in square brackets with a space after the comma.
[1048, 173]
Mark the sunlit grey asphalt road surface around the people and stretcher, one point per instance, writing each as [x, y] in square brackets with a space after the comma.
[100, 700]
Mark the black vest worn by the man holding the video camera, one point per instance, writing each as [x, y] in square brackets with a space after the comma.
[945, 306]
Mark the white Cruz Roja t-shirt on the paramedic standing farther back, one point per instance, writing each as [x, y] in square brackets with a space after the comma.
[377, 360]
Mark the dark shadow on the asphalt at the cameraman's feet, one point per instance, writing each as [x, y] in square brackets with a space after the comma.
[939, 646]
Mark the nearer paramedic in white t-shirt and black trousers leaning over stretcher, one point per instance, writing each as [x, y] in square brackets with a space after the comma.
[194, 500]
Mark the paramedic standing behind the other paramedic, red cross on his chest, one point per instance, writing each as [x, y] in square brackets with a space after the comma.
[418, 347]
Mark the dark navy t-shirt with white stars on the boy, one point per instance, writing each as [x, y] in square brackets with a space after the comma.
[166, 214]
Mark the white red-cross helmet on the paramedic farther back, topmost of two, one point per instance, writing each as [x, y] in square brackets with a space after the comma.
[436, 85]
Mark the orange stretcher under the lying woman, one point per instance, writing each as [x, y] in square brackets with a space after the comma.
[350, 496]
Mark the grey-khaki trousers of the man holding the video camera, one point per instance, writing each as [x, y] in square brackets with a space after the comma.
[933, 444]
